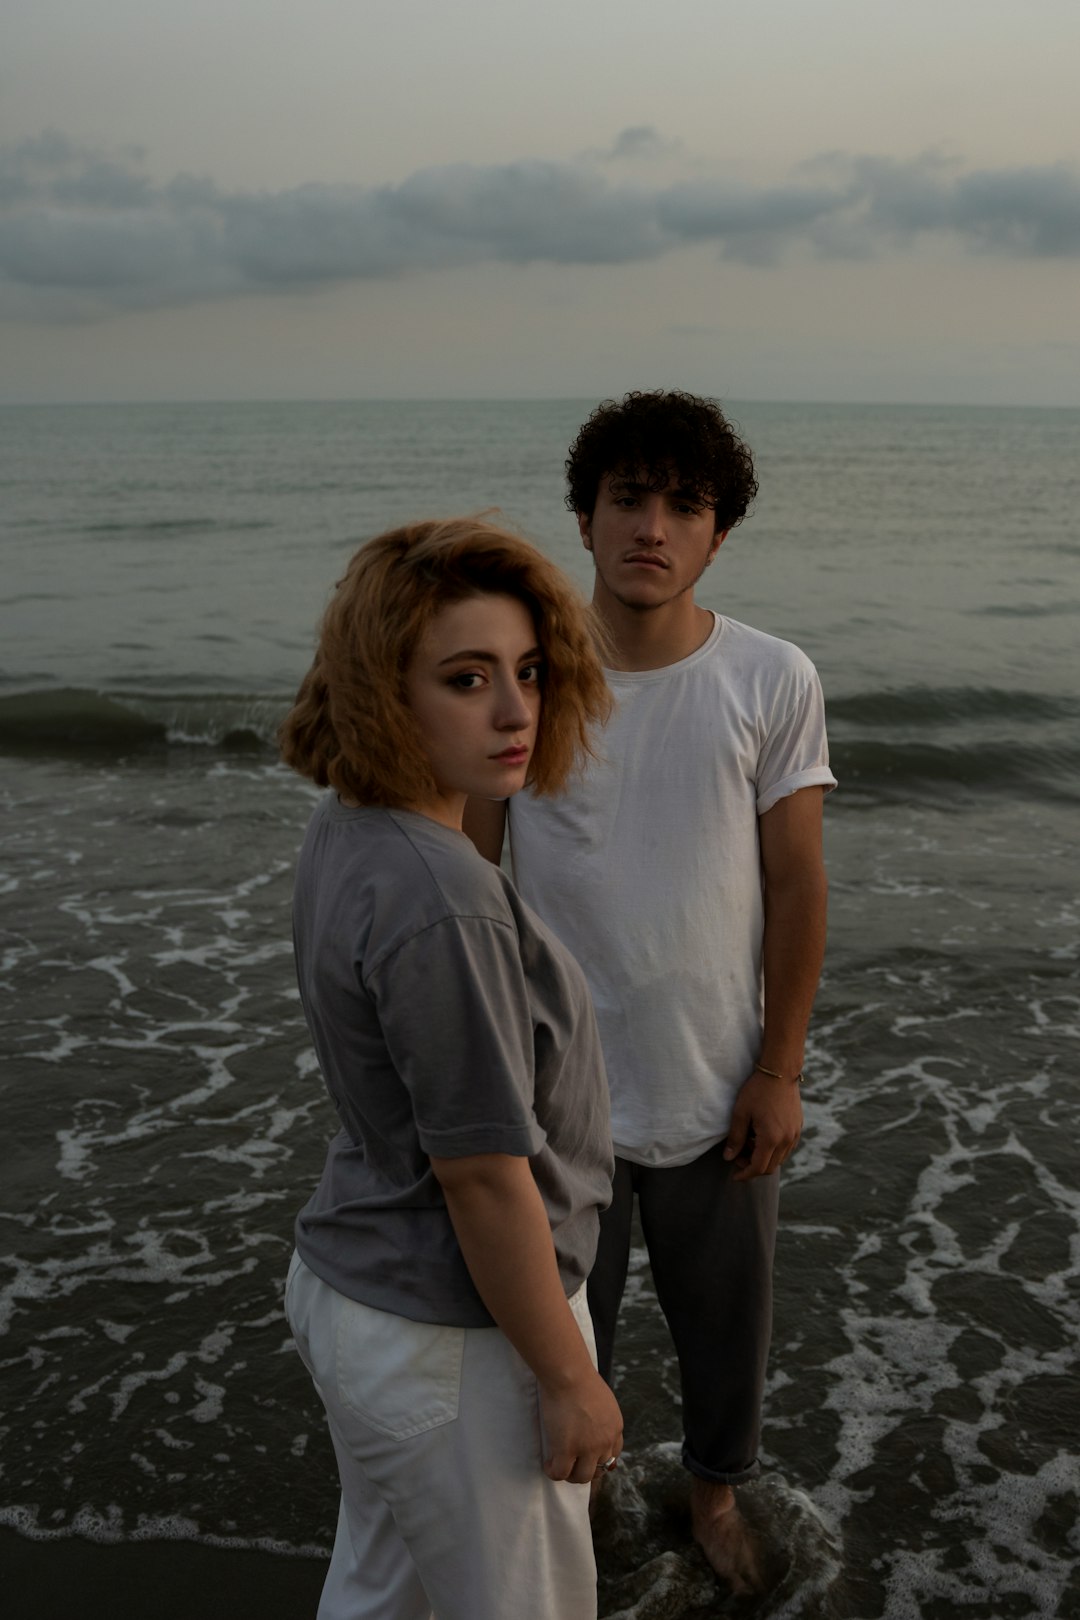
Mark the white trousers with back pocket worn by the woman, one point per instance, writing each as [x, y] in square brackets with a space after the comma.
[446, 1511]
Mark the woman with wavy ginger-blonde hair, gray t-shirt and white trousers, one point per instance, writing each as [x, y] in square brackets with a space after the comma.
[436, 1294]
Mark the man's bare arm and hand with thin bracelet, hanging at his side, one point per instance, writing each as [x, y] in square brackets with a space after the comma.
[796, 893]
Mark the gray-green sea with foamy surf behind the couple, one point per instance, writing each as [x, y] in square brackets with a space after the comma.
[163, 1115]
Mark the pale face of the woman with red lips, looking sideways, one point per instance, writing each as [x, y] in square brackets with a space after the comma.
[474, 686]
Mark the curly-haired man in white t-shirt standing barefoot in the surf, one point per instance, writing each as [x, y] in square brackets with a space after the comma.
[686, 876]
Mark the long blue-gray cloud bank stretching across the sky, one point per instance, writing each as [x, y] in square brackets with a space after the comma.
[88, 234]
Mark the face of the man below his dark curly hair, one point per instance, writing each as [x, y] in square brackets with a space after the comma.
[648, 547]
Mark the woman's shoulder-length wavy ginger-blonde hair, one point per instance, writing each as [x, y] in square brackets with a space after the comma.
[352, 728]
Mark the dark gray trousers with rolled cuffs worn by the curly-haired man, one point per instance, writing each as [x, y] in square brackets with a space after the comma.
[712, 1242]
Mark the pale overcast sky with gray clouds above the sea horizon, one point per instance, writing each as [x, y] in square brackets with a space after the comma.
[778, 200]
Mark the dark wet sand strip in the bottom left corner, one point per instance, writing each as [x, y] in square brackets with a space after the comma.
[153, 1580]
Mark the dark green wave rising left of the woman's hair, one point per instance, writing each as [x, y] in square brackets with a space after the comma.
[72, 720]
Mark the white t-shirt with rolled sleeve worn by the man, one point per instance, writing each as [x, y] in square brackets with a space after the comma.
[648, 869]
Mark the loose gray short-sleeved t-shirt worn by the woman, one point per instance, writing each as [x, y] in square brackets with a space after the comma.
[448, 1020]
